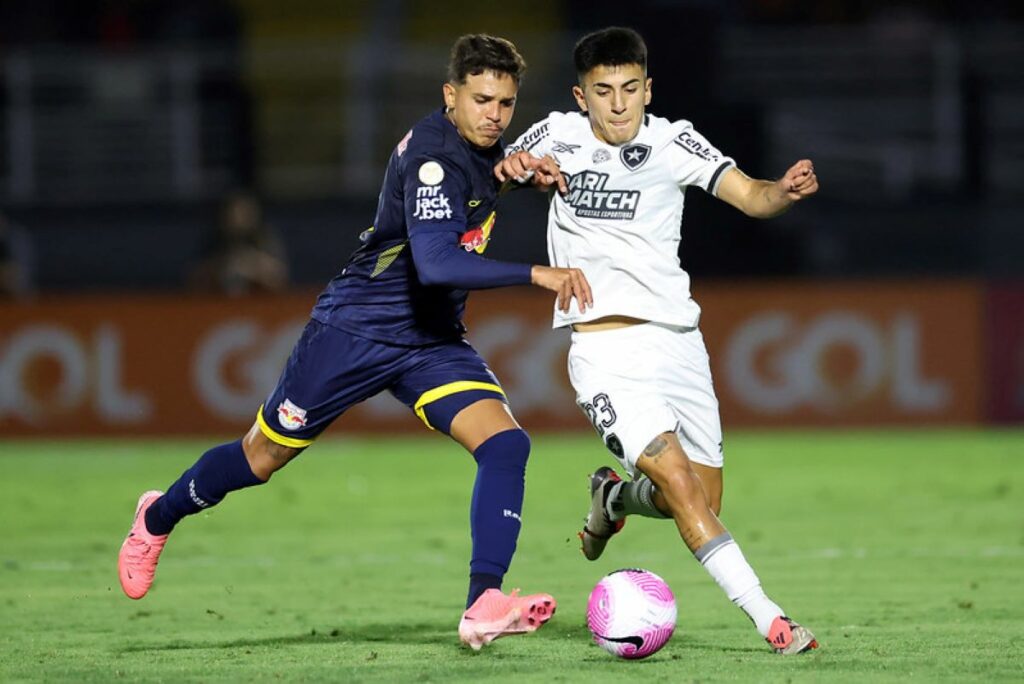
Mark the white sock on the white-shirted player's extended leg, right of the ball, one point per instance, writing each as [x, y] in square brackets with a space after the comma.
[724, 562]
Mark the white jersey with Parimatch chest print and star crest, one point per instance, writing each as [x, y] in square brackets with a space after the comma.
[621, 222]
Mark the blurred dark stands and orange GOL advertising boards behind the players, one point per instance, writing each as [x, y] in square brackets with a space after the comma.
[895, 297]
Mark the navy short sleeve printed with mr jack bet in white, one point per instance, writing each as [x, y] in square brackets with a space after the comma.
[435, 193]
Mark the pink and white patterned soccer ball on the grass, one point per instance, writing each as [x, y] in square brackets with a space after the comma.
[631, 614]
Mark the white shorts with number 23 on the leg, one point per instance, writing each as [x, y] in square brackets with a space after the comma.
[635, 383]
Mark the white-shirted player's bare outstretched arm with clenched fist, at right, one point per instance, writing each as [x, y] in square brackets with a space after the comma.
[766, 199]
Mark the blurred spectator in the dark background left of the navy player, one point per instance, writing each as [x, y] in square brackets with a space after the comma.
[243, 254]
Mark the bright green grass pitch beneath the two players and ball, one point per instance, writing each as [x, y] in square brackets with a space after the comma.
[903, 550]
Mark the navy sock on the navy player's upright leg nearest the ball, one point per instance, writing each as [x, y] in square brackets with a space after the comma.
[496, 508]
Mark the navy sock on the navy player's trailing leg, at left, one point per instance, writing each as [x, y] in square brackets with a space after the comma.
[221, 471]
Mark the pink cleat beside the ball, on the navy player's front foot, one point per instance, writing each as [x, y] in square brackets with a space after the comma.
[494, 615]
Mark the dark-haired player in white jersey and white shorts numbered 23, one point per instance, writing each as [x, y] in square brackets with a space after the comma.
[637, 359]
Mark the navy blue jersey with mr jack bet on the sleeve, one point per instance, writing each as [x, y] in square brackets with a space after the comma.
[436, 183]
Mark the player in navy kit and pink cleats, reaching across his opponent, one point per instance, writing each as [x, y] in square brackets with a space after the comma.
[392, 321]
